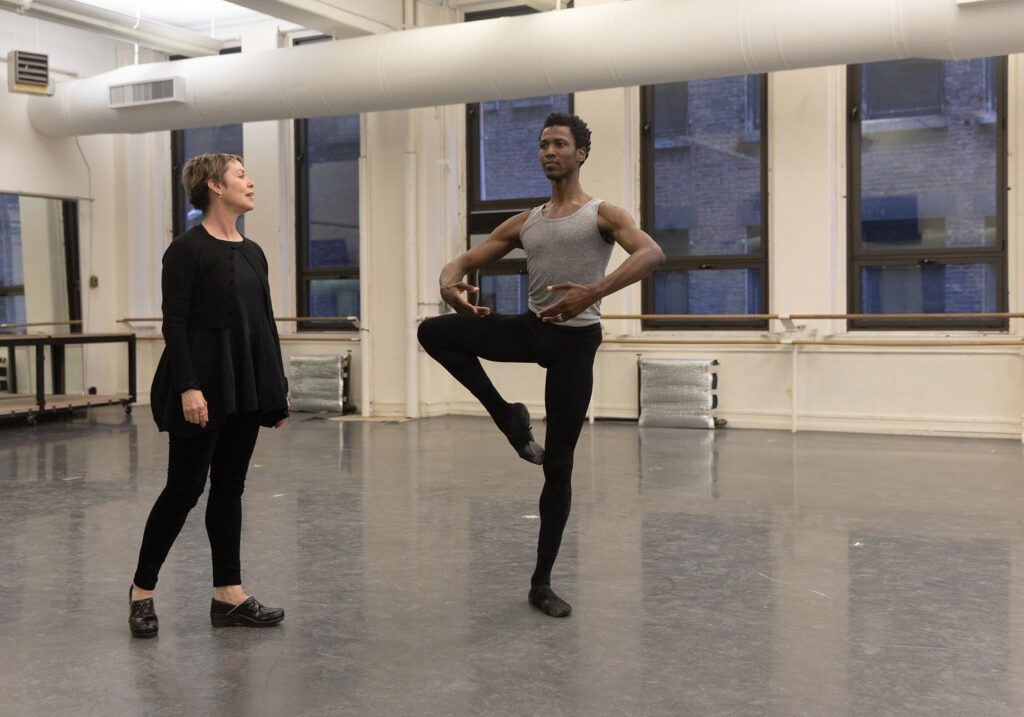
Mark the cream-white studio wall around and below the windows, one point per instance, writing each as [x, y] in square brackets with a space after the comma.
[978, 392]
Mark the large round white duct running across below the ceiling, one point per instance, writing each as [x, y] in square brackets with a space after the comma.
[609, 46]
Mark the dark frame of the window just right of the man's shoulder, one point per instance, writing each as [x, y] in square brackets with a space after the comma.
[704, 262]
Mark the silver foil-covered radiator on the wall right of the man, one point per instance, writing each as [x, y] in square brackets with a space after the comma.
[678, 393]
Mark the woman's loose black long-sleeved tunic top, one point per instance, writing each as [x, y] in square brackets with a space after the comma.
[220, 332]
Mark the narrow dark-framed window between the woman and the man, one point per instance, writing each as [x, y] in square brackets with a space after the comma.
[327, 213]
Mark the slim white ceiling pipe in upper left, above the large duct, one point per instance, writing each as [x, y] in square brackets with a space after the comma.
[84, 17]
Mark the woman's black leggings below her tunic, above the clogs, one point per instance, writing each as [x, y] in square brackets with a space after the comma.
[225, 454]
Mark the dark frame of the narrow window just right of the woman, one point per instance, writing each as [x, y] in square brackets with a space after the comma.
[304, 273]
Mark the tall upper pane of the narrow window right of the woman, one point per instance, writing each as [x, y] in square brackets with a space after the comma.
[333, 189]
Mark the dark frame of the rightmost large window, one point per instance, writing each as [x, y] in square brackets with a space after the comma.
[859, 260]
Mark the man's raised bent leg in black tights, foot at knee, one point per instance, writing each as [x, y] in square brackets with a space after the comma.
[459, 343]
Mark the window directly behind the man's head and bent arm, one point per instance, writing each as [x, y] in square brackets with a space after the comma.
[505, 179]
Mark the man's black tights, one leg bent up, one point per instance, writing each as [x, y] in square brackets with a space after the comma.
[459, 343]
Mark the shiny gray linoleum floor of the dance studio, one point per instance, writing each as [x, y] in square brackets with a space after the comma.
[730, 573]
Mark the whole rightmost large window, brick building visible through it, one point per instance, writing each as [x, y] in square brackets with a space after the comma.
[927, 199]
